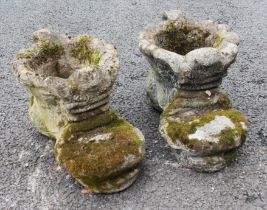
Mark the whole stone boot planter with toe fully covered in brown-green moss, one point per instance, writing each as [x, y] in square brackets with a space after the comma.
[71, 80]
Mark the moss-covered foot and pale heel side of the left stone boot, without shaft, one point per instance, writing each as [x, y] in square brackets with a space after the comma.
[103, 152]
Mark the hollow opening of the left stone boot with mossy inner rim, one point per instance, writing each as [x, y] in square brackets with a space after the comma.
[52, 57]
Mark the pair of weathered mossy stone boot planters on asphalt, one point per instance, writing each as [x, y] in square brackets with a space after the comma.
[71, 80]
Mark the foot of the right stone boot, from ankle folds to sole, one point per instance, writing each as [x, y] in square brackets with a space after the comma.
[204, 127]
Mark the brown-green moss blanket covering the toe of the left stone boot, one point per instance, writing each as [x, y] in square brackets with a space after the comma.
[94, 163]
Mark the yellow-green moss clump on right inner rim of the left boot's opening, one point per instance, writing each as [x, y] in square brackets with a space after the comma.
[81, 50]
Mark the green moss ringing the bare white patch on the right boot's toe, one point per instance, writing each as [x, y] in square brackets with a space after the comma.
[179, 131]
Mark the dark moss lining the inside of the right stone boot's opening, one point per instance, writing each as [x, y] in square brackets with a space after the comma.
[182, 38]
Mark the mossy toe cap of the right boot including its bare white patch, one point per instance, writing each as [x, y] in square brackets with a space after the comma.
[198, 135]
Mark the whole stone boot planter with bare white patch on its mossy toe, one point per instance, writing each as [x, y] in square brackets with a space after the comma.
[189, 59]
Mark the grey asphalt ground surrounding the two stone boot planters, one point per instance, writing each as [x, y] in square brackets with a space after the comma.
[30, 178]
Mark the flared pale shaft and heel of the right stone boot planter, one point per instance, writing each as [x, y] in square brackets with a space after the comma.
[185, 54]
